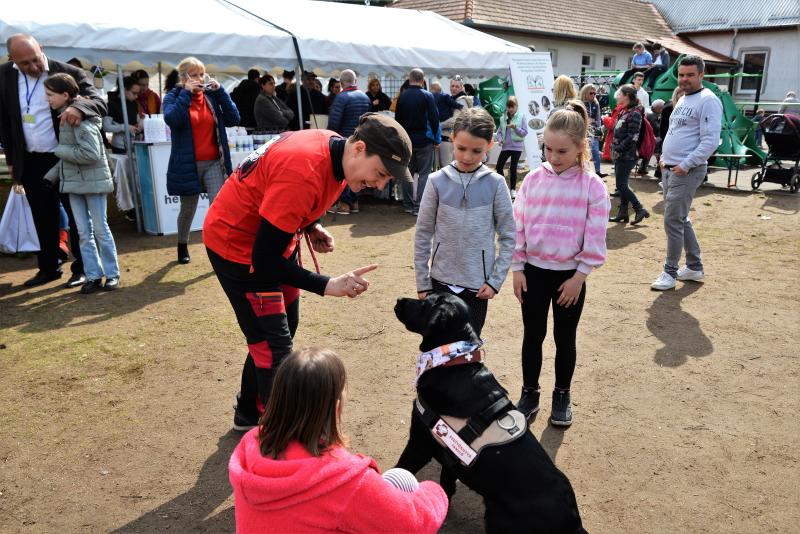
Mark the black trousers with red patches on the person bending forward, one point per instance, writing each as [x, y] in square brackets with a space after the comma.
[268, 316]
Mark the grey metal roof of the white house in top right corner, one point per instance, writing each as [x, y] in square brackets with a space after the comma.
[705, 15]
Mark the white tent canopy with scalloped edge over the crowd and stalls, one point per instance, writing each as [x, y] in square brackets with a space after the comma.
[331, 36]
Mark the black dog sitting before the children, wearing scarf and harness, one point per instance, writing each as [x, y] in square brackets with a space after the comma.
[523, 490]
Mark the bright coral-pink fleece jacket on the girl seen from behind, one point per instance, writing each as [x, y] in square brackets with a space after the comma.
[335, 492]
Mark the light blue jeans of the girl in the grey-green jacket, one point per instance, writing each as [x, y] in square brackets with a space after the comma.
[89, 212]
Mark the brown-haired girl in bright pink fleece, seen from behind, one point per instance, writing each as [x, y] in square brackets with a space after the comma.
[293, 474]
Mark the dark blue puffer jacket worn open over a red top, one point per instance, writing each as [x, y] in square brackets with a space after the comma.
[182, 176]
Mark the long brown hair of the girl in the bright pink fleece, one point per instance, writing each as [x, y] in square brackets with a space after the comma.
[303, 402]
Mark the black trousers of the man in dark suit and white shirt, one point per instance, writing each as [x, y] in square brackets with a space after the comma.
[44, 202]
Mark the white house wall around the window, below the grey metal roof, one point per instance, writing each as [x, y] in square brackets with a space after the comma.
[783, 63]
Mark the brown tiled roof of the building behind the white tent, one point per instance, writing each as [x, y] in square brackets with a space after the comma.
[615, 21]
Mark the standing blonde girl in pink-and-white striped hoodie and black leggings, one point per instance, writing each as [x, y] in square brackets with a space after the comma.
[561, 214]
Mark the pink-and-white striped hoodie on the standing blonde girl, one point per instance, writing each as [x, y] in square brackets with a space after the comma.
[561, 220]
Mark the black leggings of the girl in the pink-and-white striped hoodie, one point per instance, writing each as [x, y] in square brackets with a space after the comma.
[543, 287]
